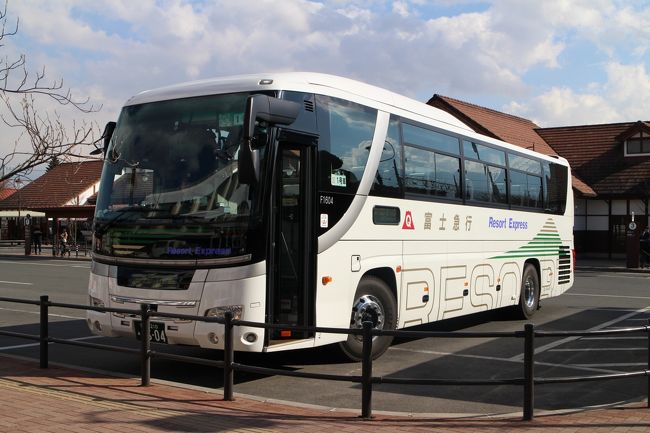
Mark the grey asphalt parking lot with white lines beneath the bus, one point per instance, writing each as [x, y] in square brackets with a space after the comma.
[598, 300]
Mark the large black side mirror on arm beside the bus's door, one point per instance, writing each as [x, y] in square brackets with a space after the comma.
[261, 111]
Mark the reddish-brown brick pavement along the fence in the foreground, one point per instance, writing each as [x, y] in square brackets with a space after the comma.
[60, 399]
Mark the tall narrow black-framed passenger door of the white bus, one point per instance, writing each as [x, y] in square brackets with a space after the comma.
[291, 296]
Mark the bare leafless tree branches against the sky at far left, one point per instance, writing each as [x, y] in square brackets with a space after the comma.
[43, 135]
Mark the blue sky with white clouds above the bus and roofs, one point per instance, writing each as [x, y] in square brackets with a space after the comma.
[555, 62]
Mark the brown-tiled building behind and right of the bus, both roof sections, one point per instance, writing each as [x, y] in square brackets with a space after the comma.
[610, 166]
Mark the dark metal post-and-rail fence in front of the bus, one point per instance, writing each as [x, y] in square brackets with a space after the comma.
[367, 380]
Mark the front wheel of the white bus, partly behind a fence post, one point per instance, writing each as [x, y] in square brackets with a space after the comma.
[373, 301]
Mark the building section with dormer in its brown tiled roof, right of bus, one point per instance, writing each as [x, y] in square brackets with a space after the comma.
[614, 159]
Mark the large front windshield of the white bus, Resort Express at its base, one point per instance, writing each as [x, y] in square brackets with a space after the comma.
[170, 188]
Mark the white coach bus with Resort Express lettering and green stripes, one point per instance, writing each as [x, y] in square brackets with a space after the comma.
[309, 199]
